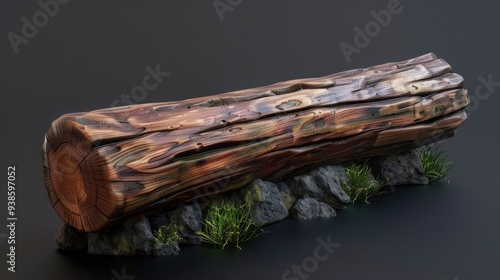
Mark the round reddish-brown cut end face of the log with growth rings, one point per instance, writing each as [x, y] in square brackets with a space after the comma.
[71, 185]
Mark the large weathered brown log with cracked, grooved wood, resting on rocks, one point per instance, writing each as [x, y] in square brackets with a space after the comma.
[106, 165]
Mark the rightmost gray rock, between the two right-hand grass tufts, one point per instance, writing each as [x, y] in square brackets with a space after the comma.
[400, 169]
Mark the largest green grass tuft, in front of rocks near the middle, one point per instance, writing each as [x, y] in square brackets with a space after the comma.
[228, 223]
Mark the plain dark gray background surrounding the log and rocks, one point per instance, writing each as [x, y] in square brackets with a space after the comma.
[91, 52]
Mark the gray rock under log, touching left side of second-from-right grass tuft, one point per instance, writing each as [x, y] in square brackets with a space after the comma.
[328, 178]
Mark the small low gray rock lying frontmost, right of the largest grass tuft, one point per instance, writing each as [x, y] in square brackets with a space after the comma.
[309, 208]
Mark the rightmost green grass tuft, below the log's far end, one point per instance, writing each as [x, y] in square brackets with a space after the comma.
[435, 162]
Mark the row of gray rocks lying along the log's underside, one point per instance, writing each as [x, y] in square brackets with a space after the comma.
[313, 195]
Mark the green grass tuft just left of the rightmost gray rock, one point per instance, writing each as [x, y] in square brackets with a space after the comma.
[360, 184]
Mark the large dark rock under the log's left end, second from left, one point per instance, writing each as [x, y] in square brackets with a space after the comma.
[133, 237]
